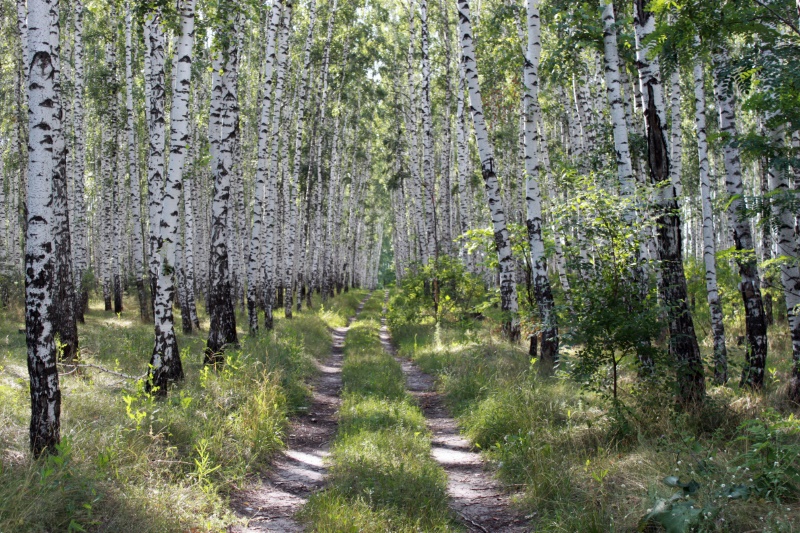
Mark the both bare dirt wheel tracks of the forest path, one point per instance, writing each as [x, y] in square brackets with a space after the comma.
[270, 504]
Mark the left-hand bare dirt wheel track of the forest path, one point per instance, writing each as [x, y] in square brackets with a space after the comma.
[271, 503]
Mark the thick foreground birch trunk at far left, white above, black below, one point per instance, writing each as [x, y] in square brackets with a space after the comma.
[44, 121]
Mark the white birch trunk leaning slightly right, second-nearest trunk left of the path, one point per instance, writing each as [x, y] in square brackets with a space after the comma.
[165, 364]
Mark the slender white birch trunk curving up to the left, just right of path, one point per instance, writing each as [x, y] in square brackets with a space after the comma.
[508, 286]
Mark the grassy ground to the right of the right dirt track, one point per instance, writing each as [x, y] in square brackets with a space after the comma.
[579, 468]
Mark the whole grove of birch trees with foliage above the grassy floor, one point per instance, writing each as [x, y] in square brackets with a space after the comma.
[543, 168]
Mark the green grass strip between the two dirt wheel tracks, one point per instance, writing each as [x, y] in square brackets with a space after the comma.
[382, 476]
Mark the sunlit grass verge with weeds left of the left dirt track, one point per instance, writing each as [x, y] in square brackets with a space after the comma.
[127, 458]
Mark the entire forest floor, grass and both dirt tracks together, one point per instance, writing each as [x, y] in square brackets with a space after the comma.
[380, 433]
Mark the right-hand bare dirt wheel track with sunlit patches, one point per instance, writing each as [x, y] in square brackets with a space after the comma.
[475, 496]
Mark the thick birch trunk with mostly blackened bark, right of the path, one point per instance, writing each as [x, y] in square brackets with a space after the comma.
[672, 283]
